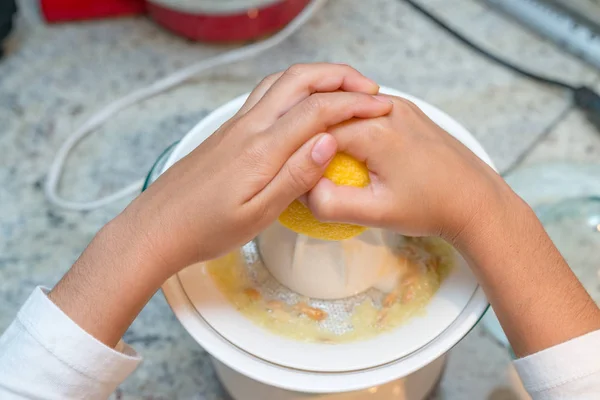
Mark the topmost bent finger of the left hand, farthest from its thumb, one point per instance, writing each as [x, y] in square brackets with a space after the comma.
[301, 80]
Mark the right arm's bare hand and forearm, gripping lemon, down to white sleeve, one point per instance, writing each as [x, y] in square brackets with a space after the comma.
[426, 183]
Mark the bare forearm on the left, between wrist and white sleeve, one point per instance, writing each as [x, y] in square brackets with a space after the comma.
[111, 282]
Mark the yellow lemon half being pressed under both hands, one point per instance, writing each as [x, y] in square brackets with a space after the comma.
[342, 170]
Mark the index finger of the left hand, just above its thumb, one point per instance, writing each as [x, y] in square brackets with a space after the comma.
[315, 114]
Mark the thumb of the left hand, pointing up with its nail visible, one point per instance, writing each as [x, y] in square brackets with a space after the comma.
[299, 174]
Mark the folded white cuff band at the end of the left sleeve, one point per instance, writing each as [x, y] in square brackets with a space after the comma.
[76, 348]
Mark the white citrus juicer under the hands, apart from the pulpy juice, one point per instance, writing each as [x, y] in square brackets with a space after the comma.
[252, 362]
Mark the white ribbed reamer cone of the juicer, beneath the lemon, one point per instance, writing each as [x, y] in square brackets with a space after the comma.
[329, 270]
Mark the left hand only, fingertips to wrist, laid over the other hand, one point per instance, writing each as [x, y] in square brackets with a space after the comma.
[241, 178]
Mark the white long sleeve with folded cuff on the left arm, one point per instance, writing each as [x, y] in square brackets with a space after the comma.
[45, 355]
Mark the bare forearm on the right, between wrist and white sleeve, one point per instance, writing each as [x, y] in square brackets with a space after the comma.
[538, 300]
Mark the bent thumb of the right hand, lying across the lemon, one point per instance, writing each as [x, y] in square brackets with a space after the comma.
[332, 203]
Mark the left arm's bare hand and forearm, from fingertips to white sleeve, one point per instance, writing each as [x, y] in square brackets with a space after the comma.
[218, 197]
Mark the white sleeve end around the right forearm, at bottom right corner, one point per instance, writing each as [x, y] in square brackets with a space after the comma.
[573, 364]
